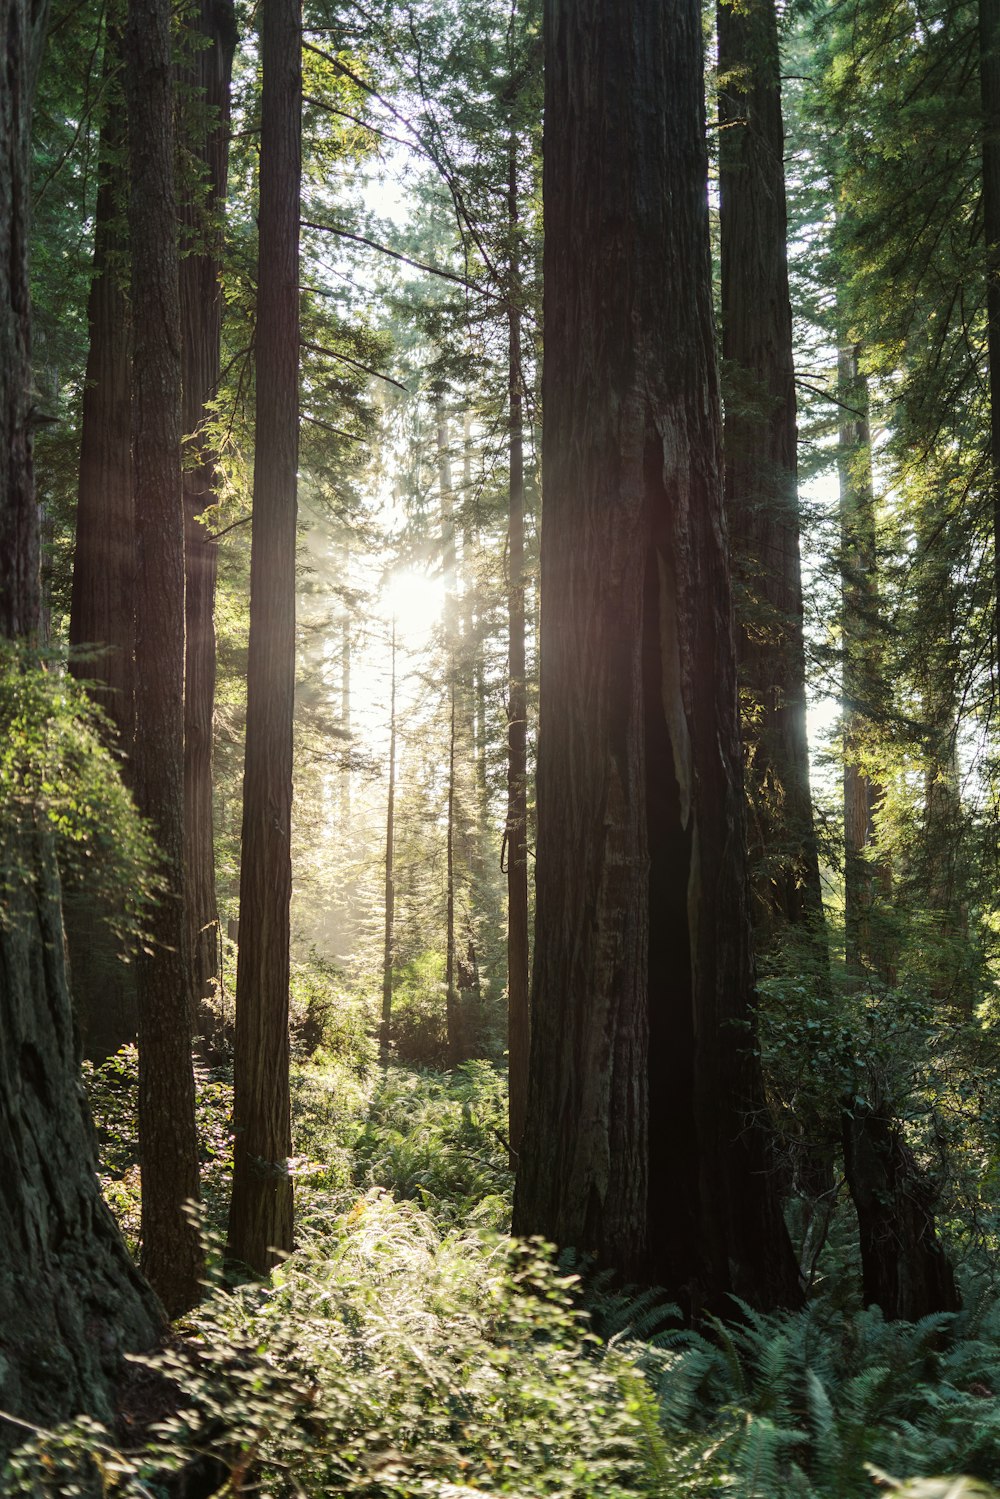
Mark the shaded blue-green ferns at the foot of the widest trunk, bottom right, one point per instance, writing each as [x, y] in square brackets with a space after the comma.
[822, 1395]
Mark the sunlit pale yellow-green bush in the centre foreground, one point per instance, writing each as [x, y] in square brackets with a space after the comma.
[392, 1360]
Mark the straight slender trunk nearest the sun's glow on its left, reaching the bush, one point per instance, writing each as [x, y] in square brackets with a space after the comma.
[262, 1209]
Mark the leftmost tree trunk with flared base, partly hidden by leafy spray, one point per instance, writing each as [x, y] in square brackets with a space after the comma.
[71, 1300]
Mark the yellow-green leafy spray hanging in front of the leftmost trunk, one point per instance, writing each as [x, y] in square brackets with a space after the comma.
[56, 770]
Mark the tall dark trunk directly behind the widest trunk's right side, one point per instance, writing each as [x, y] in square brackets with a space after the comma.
[762, 503]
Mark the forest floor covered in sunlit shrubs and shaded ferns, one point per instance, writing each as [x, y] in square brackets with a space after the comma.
[410, 1348]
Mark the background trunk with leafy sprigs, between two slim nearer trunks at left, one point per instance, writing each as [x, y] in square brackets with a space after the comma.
[208, 74]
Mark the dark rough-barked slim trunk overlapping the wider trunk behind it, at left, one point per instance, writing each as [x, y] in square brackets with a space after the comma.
[169, 1141]
